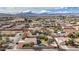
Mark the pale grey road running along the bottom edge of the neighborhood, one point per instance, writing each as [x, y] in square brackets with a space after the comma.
[70, 49]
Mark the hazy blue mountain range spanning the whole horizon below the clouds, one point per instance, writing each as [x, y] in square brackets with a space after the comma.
[24, 14]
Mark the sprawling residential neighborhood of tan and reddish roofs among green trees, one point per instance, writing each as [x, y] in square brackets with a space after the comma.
[39, 33]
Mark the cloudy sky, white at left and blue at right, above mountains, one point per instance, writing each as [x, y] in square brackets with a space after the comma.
[14, 10]
